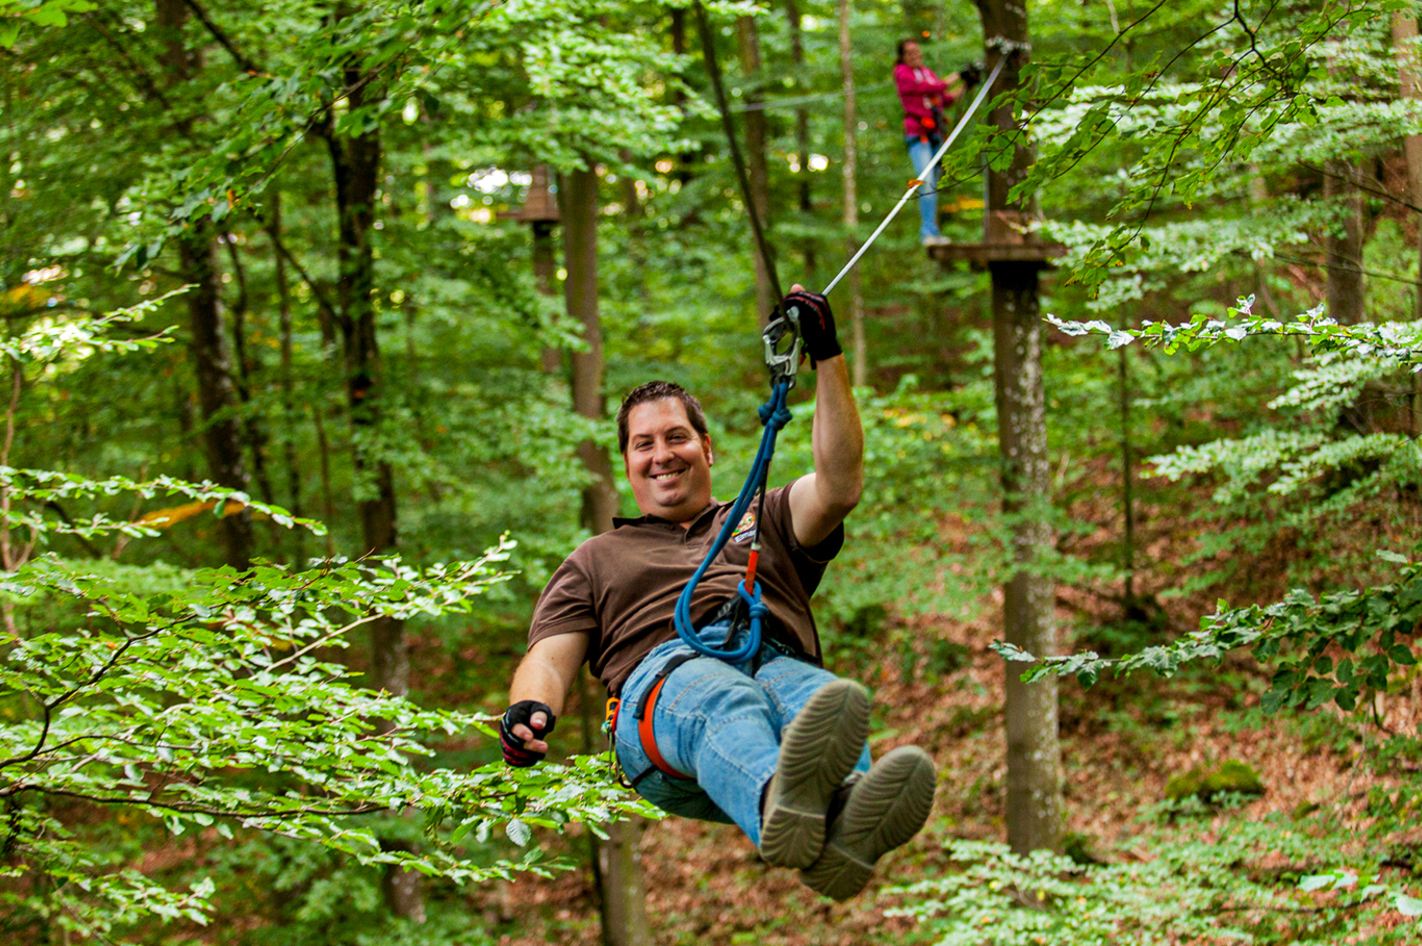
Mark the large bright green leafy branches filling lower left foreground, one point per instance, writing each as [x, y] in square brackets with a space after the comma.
[217, 705]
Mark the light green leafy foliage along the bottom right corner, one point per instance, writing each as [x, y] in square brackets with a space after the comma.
[1199, 886]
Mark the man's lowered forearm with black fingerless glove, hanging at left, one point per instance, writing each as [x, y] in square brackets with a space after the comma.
[537, 696]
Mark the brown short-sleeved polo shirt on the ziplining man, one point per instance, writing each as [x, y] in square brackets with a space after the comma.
[621, 588]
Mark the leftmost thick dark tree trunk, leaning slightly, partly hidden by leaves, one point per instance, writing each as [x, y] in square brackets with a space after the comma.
[198, 264]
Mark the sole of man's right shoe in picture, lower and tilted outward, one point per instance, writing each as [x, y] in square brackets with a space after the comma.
[885, 810]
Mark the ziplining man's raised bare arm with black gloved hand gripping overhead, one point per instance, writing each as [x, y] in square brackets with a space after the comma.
[821, 501]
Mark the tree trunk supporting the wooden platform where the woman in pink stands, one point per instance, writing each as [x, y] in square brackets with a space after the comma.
[1035, 809]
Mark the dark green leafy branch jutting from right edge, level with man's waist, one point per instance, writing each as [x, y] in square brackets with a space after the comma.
[1372, 629]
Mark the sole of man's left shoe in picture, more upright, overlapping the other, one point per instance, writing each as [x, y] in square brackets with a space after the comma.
[818, 752]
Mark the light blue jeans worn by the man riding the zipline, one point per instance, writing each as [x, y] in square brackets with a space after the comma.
[720, 723]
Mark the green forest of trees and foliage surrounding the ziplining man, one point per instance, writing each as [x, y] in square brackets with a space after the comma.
[312, 319]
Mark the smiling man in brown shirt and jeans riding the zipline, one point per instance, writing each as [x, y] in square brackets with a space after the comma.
[759, 736]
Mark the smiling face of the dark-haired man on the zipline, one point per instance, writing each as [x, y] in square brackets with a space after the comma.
[669, 464]
